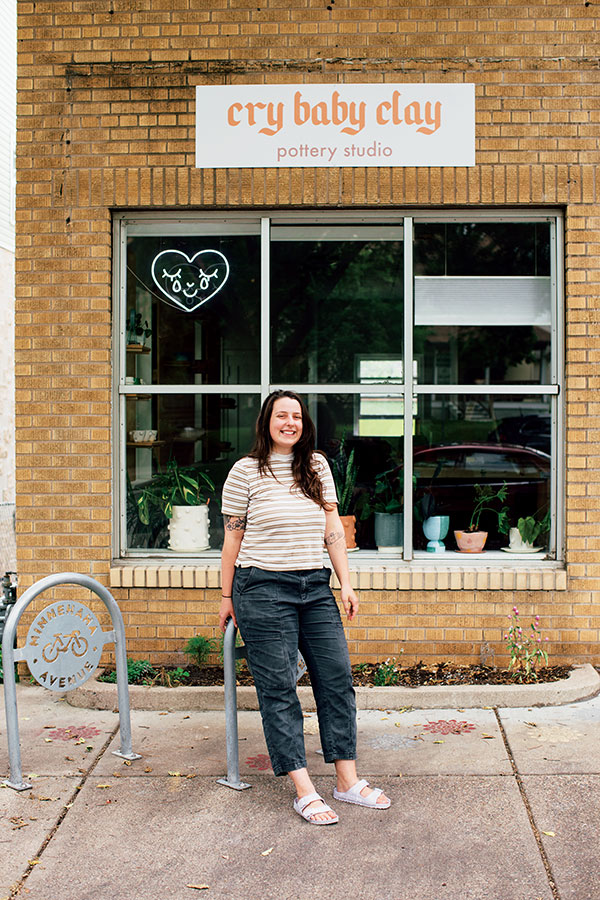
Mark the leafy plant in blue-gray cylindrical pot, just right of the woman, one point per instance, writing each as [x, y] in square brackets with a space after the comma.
[386, 502]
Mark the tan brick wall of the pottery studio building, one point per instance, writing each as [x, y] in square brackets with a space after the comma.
[106, 121]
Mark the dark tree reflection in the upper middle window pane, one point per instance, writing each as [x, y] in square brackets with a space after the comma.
[326, 297]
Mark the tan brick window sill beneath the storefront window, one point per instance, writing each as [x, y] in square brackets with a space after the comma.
[370, 571]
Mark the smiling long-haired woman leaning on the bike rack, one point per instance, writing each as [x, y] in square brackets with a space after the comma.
[279, 504]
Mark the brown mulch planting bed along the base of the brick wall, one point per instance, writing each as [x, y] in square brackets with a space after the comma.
[366, 674]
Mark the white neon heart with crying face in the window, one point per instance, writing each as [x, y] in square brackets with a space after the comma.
[190, 282]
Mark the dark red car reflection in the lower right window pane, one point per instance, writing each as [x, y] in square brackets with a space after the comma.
[451, 472]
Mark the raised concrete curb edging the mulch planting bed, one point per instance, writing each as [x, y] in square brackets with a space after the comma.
[583, 682]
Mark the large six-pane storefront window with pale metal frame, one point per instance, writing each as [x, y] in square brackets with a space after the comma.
[213, 313]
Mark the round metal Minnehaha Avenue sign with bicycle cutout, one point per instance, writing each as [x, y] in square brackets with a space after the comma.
[64, 646]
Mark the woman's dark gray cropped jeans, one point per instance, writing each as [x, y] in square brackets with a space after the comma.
[278, 613]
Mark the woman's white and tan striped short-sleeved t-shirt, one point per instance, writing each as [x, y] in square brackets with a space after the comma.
[284, 529]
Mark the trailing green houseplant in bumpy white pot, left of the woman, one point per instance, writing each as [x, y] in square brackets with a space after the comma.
[183, 496]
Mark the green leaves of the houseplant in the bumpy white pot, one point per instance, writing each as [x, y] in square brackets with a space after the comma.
[176, 486]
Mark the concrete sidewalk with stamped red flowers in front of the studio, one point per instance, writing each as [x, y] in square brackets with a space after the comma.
[489, 804]
